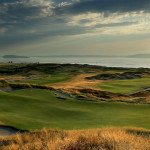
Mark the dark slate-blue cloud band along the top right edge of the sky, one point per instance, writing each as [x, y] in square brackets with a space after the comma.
[110, 6]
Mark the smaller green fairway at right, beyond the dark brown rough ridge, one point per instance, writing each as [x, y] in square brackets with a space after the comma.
[125, 86]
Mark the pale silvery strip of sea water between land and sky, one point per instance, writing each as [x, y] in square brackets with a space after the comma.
[92, 60]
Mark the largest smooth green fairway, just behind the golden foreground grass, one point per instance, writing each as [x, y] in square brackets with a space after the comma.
[35, 109]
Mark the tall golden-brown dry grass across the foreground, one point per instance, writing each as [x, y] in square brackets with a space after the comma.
[95, 139]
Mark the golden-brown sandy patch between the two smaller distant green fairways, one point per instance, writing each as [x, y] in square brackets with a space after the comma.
[78, 81]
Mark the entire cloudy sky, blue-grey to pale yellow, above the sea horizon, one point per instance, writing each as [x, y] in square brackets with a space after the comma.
[74, 27]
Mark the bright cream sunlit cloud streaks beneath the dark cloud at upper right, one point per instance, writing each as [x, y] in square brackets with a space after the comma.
[116, 23]
